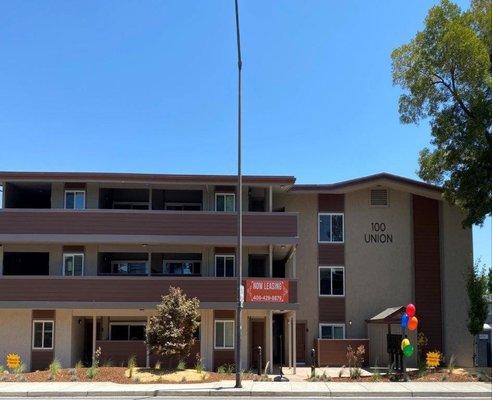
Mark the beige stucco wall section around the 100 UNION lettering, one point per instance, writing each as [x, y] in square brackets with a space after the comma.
[377, 275]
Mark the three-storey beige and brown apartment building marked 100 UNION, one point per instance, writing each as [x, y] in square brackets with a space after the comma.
[85, 258]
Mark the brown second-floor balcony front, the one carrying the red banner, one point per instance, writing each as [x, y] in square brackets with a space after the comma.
[121, 292]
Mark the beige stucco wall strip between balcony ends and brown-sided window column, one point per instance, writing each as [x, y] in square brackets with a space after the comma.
[306, 259]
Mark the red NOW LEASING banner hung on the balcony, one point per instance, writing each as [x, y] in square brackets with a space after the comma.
[267, 290]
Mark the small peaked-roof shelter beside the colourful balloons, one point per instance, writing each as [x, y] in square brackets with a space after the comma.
[387, 321]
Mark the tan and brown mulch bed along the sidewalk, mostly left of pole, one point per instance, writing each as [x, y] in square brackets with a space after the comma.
[121, 375]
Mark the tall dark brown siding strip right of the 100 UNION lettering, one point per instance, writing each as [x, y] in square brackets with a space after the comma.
[427, 267]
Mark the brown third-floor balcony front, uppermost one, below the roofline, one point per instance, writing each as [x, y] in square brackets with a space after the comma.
[137, 226]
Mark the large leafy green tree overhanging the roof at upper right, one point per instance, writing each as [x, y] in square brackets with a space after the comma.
[445, 71]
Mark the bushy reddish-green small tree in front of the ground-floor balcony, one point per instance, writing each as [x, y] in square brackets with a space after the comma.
[171, 331]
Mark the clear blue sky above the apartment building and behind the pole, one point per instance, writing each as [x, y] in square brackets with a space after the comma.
[150, 86]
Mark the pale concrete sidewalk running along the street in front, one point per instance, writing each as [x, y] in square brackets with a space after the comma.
[267, 389]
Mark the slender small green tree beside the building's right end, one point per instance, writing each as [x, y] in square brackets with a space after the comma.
[476, 286]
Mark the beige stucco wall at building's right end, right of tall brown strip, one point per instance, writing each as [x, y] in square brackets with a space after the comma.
[457, 258]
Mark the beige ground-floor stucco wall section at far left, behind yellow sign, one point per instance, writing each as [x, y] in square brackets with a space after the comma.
[15, 334]
